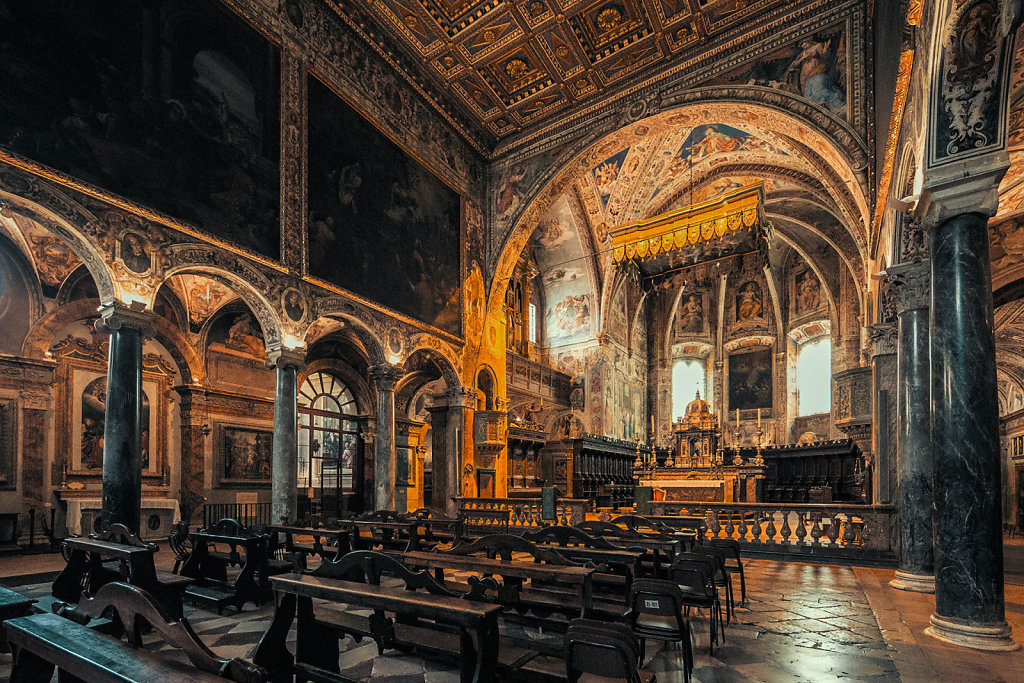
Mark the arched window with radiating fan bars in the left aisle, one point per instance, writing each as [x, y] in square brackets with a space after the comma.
[329, 440]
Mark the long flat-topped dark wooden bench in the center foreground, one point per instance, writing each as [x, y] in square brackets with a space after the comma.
[317, 642]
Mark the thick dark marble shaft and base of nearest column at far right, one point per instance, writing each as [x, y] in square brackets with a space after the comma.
[969, 601]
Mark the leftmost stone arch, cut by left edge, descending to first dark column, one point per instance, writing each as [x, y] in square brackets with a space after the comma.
[71, 223]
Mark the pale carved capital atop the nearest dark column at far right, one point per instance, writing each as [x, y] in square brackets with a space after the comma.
[966, 188]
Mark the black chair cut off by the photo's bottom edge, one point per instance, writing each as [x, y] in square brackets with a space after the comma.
[602, 650]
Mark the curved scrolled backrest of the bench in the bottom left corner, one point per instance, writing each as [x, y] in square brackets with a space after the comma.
[133, 607]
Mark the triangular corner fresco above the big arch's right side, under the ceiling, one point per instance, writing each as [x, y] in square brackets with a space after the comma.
[814, 68]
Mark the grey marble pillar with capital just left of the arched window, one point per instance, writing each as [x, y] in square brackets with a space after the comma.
[285, 458]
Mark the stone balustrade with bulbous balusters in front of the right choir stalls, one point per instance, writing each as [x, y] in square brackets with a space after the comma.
[831, 531]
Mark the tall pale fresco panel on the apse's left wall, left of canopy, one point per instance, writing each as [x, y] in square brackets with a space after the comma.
[568, 289]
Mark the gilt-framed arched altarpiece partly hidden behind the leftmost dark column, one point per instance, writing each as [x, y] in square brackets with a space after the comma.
[82, 398]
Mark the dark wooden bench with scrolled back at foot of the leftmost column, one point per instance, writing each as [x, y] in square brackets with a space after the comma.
[88, 569]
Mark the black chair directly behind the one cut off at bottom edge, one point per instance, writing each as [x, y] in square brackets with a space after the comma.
[657, 612]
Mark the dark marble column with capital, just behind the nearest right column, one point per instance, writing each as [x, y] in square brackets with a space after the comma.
[911, 282]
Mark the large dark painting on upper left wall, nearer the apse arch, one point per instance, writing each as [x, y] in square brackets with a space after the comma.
[380, 224]
